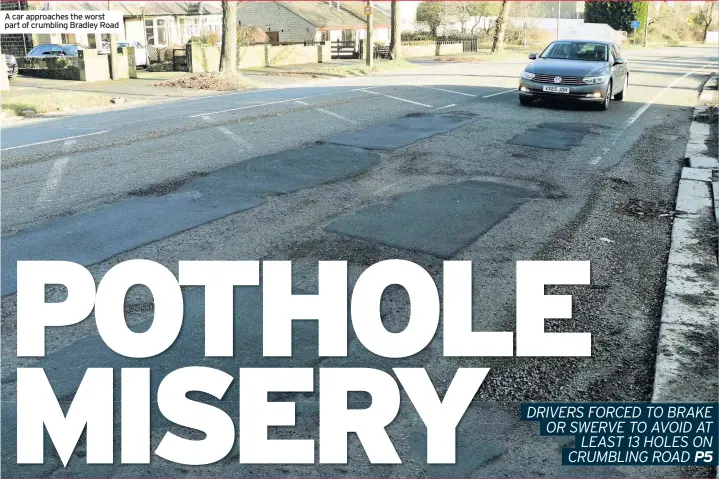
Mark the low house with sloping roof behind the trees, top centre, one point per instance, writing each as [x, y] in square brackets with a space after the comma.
[302, 21]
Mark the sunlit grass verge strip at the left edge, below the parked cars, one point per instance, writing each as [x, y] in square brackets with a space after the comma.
[53, 101]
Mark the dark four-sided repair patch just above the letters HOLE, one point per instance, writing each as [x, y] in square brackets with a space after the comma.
[439, 220]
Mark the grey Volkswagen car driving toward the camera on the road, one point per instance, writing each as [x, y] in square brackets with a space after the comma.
[581, 70]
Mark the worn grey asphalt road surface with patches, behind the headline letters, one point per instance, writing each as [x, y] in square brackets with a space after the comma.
[432, 163]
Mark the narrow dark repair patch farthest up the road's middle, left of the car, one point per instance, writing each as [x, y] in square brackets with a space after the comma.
[403, 131]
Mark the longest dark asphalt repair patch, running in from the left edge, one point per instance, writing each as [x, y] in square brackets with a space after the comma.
[94, 236]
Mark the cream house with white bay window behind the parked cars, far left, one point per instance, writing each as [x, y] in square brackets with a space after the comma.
[165, 23]
